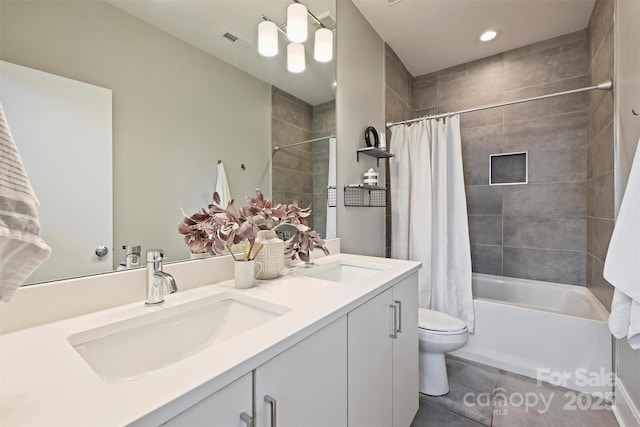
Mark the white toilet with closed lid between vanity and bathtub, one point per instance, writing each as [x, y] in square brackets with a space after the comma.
[438, 333]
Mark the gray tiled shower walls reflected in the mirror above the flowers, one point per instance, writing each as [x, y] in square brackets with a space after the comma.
[301, 172]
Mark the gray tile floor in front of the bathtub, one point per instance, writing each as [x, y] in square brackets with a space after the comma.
[480, 395]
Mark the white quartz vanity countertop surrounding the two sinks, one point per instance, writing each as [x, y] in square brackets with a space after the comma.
[44, 381]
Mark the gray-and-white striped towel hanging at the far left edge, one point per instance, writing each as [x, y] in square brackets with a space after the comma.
[21, 248]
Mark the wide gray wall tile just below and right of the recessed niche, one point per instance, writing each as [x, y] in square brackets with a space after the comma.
[559, 199]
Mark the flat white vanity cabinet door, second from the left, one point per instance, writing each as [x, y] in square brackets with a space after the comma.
[307, 383]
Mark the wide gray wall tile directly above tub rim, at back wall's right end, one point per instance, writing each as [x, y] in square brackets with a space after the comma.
[548, 265]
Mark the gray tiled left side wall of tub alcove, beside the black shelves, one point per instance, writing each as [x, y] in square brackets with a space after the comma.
[398, 100]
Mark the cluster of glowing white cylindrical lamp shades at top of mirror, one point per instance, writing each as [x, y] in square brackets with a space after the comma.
[297, 31]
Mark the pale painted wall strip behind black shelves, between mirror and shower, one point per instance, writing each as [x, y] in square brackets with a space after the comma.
[359, 103]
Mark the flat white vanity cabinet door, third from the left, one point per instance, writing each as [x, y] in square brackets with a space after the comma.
[370, 361]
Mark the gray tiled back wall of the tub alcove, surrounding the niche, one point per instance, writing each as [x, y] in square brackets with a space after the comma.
[535, 231]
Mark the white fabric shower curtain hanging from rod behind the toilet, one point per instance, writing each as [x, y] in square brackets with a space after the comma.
[429, 213]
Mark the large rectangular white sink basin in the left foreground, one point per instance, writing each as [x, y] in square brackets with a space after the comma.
[131, 348]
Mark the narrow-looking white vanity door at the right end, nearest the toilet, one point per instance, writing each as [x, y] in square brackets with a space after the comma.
[405, 353]
